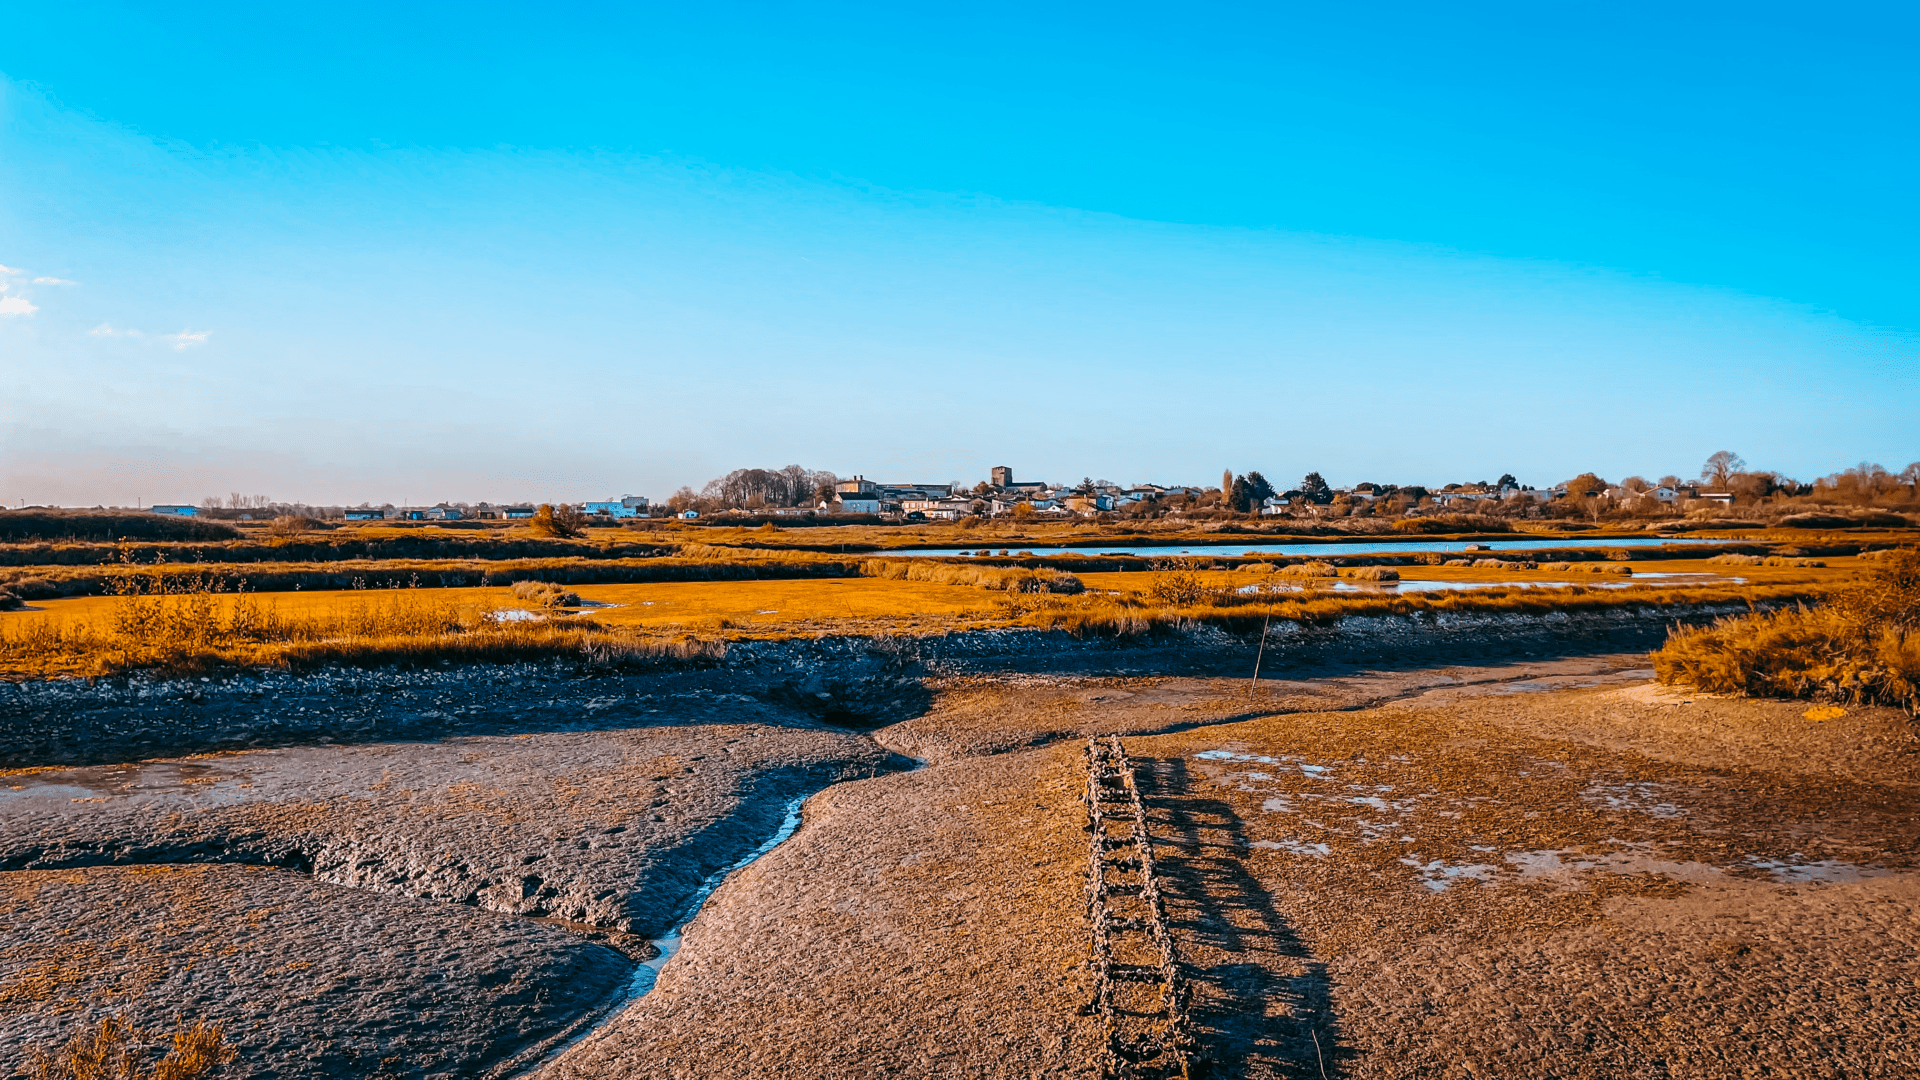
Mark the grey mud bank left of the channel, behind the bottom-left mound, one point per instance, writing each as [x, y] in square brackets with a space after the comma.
[604, 829]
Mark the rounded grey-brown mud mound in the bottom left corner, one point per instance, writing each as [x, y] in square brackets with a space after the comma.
[308, 979]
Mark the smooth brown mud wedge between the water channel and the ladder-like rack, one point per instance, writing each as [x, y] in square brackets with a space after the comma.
[917, 925]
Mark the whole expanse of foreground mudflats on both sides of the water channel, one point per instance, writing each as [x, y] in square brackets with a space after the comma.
[1525, 870]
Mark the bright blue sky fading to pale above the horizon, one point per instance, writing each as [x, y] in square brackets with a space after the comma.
[502, 253]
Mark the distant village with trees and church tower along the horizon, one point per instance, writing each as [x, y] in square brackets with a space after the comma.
[798, 493]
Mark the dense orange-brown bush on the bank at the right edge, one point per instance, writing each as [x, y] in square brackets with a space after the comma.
[1861, 647]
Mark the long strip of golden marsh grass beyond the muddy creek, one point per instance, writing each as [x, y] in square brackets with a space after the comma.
[185, 627]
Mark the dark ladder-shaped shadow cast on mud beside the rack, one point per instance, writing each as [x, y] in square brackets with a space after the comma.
[1253, 1019]
